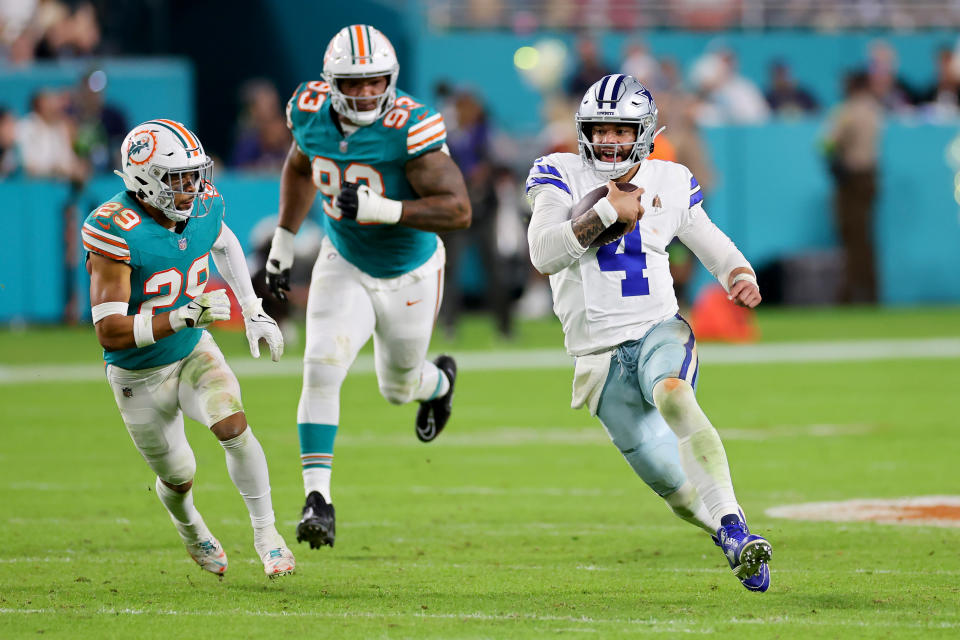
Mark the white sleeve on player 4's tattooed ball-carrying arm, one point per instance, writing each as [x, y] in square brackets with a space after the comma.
[553, 246]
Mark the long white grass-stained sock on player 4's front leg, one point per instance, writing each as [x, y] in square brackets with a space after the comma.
[701, 451]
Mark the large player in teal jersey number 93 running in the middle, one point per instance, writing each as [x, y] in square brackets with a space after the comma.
[387, 185]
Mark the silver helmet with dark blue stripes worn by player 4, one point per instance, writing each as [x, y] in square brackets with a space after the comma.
[616, 98]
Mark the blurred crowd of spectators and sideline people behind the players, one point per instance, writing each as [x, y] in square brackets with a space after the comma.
[71, 134]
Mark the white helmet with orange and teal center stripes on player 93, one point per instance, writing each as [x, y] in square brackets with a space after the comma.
[360, 51]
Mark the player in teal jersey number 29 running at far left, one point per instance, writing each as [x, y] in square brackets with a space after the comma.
[148, 251]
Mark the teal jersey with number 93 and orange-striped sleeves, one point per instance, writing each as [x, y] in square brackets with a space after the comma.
[375, 155]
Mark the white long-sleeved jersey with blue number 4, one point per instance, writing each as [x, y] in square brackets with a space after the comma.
[616, 293]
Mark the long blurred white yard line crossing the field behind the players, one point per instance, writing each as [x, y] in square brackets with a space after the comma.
[711, 354]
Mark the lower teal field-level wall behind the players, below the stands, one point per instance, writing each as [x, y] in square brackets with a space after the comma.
[773, 199]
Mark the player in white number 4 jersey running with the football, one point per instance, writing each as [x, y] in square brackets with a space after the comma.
[636, 358]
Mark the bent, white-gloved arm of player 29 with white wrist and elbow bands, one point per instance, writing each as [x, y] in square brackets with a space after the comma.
[110, 297]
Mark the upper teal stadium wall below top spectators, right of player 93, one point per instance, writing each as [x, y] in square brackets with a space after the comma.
[483, 61]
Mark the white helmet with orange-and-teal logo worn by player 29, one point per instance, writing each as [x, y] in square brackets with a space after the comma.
[162, 158]
